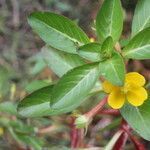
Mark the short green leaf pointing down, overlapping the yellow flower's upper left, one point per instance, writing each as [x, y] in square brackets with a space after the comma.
[113, 69]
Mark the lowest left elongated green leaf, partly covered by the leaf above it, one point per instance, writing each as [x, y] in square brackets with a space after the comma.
[37, 104]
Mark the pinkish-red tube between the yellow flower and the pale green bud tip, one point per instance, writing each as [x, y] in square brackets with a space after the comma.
[97, 108]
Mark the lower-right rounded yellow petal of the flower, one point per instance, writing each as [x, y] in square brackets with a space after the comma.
[137, 97]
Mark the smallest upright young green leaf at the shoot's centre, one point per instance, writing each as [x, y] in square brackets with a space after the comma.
[107, 47]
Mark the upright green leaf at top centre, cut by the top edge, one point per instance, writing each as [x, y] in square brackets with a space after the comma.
[109, 21]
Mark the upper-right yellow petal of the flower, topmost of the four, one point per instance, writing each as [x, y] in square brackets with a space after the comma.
[135, 78]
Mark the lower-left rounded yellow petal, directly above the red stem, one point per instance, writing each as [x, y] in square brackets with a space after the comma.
[116, 99]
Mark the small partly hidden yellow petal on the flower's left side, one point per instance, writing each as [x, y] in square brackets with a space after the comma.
[108, 87]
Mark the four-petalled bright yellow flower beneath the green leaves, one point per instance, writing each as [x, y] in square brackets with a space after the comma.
[132, 91]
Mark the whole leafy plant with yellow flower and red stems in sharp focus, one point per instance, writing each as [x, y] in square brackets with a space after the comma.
[82, 65]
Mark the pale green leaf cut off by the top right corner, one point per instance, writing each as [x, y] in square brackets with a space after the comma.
[141, 17]
